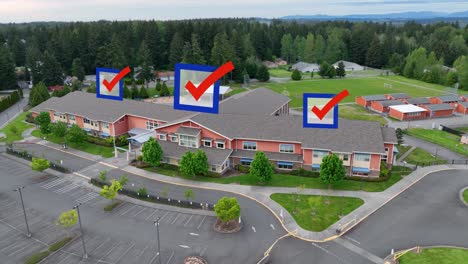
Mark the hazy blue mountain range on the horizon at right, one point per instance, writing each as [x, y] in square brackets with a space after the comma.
[424, 15]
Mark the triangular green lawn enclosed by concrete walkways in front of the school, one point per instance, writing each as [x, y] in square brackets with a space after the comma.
[312, 212]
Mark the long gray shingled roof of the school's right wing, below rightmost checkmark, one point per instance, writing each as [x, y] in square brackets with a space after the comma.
[351, 135]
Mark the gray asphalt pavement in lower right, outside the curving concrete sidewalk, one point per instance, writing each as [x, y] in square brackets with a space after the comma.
[429, 213]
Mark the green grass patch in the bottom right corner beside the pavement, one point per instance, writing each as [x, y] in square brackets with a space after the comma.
[436, 256]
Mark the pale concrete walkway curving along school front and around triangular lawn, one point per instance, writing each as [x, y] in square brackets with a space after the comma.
[373, 200]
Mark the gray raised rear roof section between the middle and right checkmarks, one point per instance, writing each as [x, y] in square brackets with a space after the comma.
[260, 101]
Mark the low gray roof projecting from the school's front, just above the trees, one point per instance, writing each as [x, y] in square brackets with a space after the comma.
[215, 156]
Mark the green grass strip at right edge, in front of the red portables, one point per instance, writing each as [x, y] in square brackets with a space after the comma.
[441, 138]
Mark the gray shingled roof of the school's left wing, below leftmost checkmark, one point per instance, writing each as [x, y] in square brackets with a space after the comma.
[87, 105]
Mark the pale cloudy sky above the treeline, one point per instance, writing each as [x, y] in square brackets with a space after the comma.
[91, 10]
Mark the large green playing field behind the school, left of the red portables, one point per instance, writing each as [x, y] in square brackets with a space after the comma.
[355, 86]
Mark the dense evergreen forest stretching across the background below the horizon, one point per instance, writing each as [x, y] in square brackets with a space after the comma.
[51, 50]
